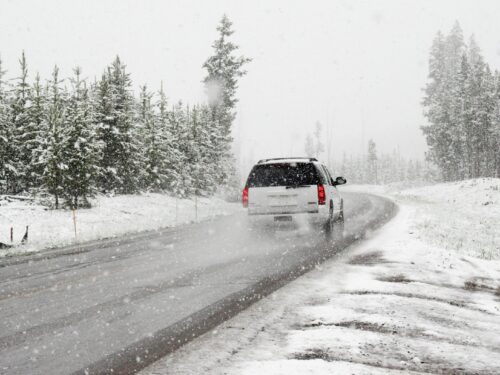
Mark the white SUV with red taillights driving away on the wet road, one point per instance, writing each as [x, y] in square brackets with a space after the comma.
[293, 189]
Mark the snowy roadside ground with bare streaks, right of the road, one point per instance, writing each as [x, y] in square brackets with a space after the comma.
[419, 296]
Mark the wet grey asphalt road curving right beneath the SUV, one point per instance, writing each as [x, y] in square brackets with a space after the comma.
[119, 307]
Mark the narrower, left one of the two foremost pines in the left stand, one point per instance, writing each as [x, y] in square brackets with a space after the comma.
[52, 156]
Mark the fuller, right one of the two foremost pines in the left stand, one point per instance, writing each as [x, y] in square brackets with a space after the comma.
[81, 151]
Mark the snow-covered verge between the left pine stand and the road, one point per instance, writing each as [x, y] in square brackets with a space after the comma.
[108, 217]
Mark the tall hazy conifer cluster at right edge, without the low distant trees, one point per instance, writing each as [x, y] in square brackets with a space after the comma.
[462, 106]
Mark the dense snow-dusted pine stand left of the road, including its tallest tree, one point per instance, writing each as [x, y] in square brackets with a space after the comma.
[72, 138]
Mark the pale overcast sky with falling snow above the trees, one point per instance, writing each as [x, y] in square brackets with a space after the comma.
[356, 66]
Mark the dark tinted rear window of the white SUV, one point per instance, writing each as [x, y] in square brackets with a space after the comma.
[282, 174]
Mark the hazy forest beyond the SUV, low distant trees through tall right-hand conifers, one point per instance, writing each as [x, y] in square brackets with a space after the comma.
[462, 107]
